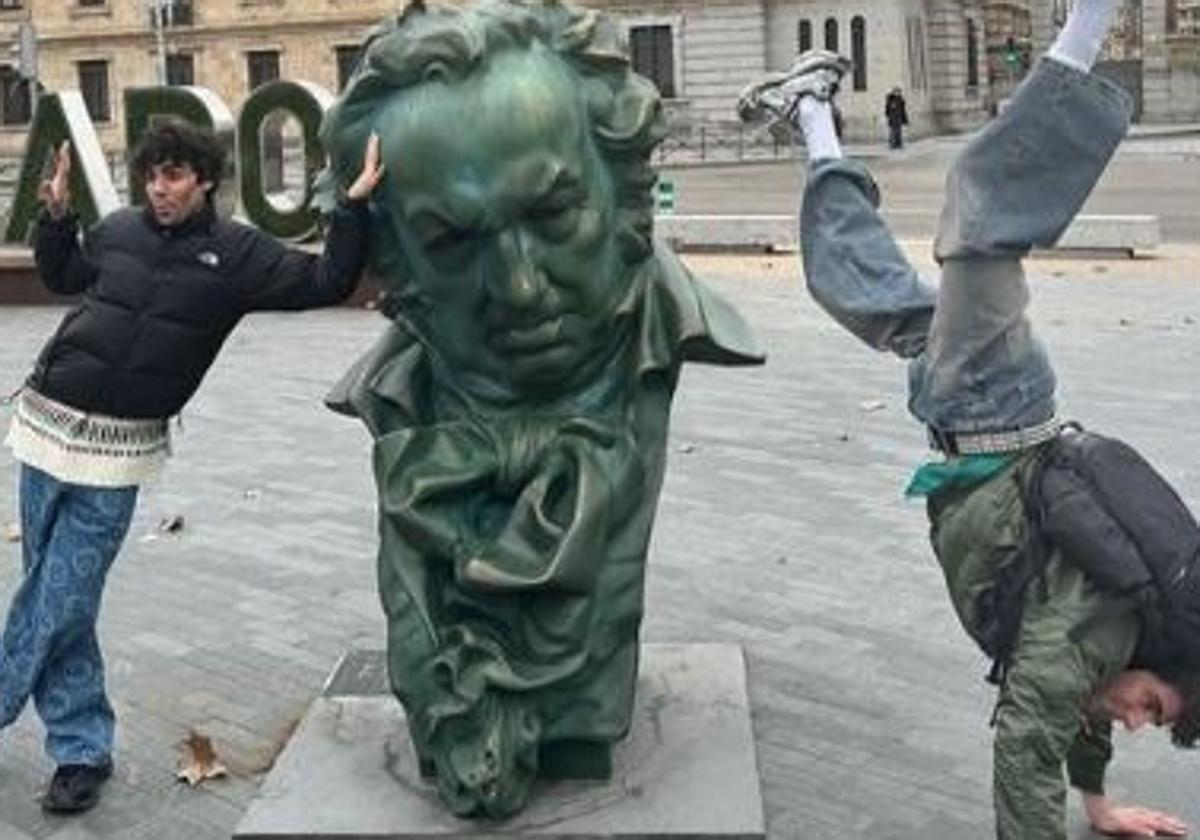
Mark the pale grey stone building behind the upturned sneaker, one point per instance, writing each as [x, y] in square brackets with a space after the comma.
[934, 50]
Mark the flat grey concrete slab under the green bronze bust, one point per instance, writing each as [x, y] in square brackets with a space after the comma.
[687, 771]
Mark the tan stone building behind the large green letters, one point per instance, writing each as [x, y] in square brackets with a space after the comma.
[101, 47]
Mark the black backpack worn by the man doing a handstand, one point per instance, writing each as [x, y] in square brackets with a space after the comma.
[1111, 514]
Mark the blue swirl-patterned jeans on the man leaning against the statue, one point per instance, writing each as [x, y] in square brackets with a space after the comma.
[70, 538]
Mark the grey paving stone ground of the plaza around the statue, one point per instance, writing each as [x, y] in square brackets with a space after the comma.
[782, 527]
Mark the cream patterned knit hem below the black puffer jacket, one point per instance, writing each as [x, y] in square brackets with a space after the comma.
[86, 449]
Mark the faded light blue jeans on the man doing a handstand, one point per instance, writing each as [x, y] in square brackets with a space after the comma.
[975, 365]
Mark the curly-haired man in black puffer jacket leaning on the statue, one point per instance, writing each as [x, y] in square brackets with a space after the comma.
[160, 289]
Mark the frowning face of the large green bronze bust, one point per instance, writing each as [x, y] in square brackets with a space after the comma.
[507, 217]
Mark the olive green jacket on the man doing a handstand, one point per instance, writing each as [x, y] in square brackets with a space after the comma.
[1072, 640]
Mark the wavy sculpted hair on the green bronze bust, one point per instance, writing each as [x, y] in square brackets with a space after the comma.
[442, 44]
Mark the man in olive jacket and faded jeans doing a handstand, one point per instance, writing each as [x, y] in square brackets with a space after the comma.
[1081, 657]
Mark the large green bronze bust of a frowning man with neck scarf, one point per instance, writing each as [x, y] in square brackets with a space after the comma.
[520, 399]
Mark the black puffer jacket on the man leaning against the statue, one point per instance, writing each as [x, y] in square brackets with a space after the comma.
[159, 302]
